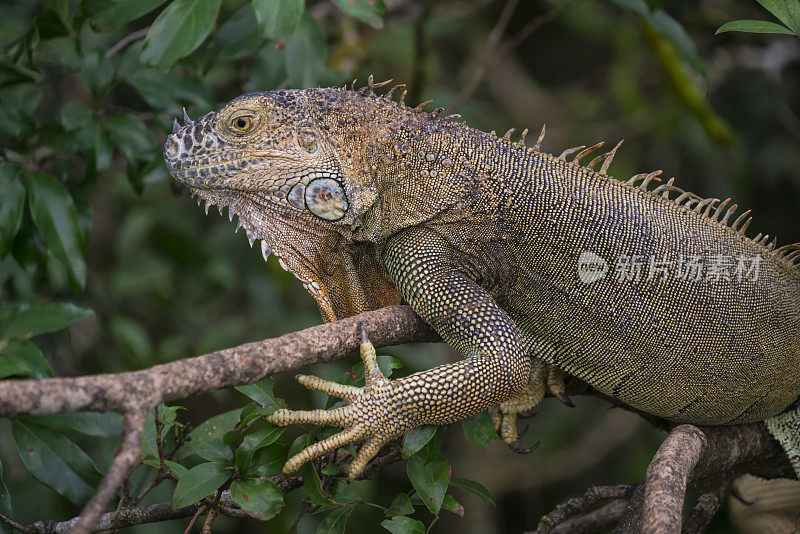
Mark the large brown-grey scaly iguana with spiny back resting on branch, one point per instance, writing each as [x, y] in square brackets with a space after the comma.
[506, 251]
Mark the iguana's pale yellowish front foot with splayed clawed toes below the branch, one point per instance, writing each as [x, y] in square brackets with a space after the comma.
[371, 415]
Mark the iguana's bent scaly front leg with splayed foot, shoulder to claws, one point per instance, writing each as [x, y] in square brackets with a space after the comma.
[421, 264]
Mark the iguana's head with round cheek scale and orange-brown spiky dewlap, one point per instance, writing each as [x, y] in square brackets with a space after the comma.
[274, 165]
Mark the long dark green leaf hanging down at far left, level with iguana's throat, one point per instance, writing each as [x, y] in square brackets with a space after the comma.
[56, 217]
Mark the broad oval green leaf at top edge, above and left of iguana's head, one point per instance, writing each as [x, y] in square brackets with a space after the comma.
[178, 31]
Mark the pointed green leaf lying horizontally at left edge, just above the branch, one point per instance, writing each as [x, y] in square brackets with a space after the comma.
[24, 321]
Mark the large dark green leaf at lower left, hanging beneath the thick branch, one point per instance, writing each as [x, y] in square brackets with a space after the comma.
[56, 461]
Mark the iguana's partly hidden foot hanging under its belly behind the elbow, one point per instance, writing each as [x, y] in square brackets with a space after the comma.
[544, 377]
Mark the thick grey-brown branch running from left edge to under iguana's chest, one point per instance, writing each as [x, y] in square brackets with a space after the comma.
[244, 364]
